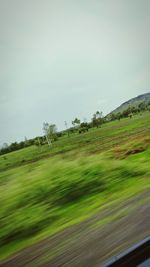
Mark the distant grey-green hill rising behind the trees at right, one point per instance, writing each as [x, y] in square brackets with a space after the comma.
[132, 102]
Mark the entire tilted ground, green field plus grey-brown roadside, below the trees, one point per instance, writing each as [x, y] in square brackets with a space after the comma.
[79, 201]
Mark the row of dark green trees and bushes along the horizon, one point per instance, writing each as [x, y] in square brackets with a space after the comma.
[51, 134]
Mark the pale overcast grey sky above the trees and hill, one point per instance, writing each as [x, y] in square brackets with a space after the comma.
[61, 59]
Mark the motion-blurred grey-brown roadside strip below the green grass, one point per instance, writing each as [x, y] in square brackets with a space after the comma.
[84, 244]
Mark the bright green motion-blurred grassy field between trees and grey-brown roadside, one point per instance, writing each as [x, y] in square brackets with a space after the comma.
[44, 190]
